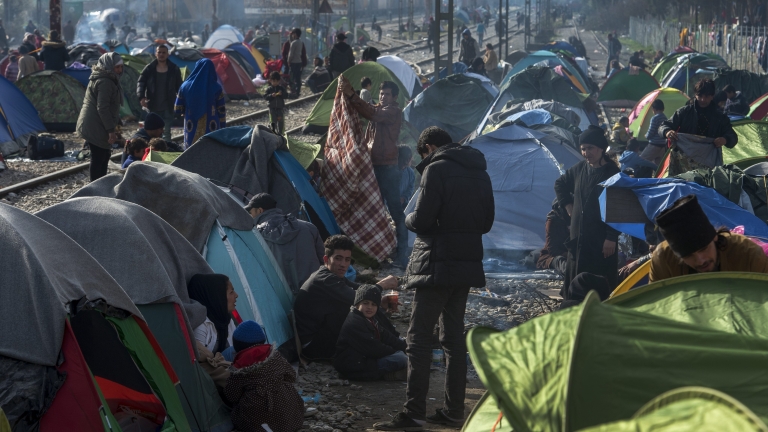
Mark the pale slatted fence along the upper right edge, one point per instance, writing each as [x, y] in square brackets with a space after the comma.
[740, 46]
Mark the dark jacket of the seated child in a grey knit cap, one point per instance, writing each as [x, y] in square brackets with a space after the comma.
[361, 344]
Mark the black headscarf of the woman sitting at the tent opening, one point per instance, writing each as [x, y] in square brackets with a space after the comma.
[210, 290]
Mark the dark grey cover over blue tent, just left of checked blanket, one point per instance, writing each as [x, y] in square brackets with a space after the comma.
[221, 157]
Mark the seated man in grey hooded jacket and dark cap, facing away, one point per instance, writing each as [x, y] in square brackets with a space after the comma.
[295, 244]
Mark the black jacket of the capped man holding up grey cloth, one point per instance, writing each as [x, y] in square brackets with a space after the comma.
[686, 120]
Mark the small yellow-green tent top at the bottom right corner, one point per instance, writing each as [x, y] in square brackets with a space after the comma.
[689, 409]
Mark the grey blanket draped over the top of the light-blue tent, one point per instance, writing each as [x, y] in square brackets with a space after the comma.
[190, 203]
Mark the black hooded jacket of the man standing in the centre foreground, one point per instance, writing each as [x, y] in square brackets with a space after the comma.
[455, 208]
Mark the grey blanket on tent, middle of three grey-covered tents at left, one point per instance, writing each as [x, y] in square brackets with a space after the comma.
[152, 262]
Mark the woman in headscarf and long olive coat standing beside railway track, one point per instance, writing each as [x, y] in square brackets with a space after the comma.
[100, 114]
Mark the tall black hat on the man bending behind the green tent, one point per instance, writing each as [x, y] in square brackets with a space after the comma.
[685, 226]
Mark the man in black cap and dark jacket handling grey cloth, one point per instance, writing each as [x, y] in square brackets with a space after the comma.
[699, 117]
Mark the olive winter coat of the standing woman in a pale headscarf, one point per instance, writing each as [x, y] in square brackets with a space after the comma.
[100, 114]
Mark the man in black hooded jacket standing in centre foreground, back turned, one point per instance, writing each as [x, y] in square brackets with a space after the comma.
[454, 209]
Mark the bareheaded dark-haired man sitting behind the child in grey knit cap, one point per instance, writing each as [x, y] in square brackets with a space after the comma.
[323, 303]
